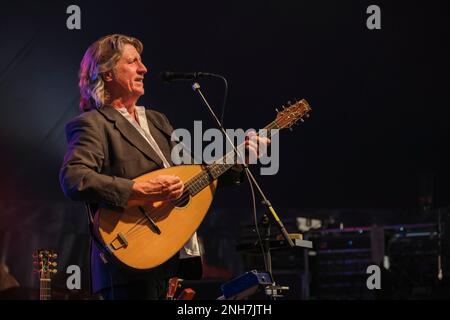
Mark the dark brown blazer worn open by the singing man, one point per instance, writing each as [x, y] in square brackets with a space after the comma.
[104, 153]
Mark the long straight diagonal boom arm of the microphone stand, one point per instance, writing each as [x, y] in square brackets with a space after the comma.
[266, 202]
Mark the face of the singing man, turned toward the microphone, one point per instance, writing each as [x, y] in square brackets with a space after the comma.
[128, 74]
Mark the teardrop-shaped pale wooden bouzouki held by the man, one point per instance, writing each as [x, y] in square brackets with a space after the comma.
[144, 237]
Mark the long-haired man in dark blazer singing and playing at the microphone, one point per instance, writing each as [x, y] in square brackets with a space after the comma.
[114, 141]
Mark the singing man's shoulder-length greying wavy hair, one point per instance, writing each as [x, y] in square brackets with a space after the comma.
[99, 58]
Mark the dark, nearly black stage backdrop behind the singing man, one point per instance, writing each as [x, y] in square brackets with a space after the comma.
[376, 142]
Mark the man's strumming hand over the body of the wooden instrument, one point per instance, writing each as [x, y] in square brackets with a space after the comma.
[161, 188]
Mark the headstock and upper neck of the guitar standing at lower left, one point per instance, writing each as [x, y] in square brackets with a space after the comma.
[46, 266]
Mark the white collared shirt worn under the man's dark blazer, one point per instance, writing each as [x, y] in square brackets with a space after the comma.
[190, 248]
